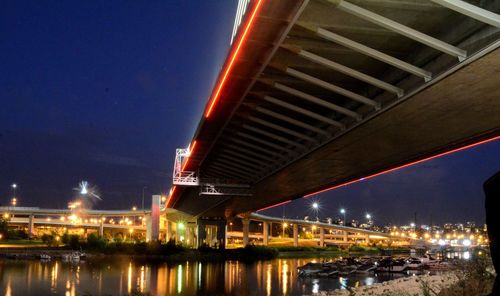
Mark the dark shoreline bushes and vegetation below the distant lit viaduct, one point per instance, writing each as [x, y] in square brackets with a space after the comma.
[100, 248]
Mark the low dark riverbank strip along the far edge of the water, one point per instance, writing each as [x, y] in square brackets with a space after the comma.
[176, 253]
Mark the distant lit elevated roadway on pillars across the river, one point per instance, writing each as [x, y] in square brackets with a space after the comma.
[186, 229]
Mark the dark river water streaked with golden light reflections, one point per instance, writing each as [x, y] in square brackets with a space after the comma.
[276, 277]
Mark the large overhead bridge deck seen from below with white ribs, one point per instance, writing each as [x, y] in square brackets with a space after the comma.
[317, 94]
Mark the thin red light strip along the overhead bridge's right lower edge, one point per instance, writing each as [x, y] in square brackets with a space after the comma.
[392, 170]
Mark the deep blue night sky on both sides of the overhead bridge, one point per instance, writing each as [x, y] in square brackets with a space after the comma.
[104, 91]
